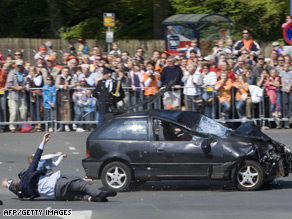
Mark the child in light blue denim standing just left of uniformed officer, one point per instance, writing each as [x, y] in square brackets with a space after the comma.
[89, 109]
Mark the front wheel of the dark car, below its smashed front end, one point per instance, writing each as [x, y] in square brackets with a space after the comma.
[249, 176]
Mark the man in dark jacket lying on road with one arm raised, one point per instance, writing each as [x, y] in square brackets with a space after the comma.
[35, 183]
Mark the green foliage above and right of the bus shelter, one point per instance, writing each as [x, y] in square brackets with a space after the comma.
[262, 17]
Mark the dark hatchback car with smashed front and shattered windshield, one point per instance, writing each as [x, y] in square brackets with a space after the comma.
[169, 145]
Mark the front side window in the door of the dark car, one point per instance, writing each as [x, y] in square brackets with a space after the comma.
[165, 131]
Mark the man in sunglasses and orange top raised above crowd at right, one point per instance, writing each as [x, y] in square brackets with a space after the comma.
[248, 43]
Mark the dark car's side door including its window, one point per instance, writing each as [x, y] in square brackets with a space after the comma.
[174, 152]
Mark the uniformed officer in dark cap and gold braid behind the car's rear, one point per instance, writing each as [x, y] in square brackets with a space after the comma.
[108, 91]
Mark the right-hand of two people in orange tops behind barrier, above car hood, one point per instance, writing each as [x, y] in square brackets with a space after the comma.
[241, 96]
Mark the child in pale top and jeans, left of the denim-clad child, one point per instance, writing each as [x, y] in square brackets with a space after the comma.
[79, 97]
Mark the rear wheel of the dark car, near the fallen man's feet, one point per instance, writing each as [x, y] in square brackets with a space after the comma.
[116, 176]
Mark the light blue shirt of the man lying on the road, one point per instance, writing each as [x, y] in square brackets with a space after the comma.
[46, 185]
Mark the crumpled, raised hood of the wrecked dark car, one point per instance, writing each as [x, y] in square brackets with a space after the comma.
[249, 130]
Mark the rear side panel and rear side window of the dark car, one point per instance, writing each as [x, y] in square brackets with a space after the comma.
[126, 139]
